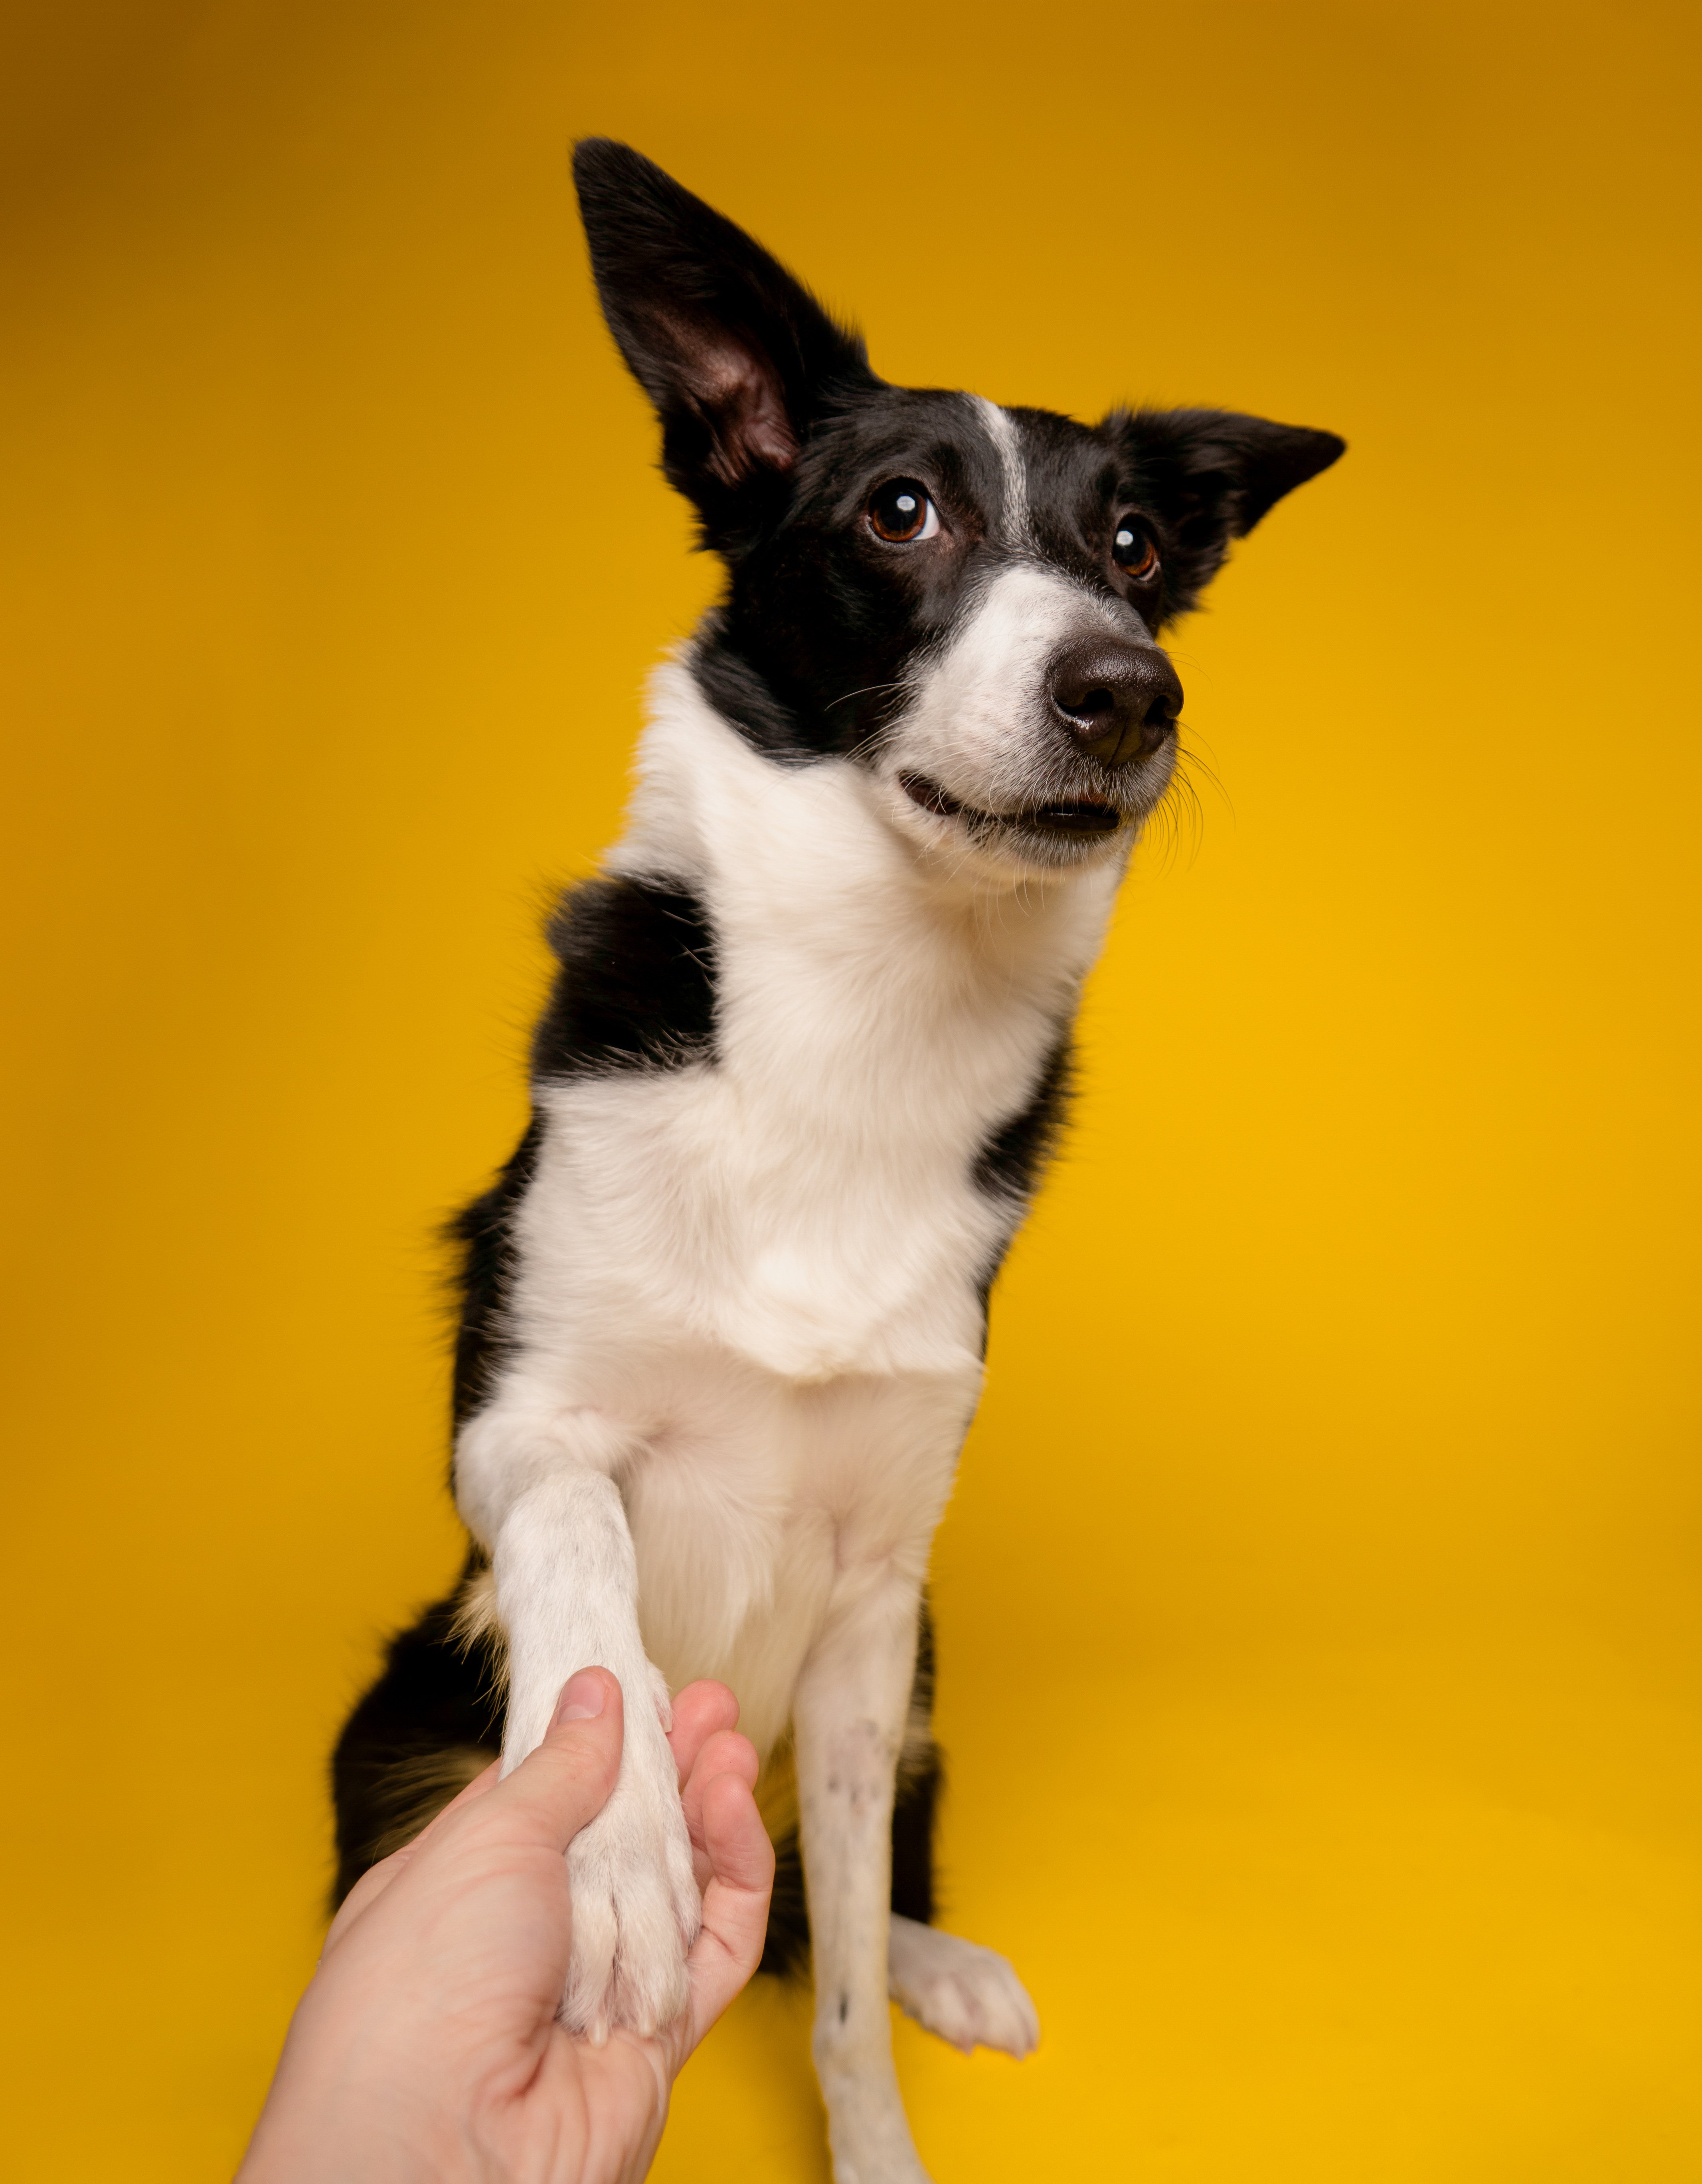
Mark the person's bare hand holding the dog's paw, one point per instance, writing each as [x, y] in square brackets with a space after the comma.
[427, 2047]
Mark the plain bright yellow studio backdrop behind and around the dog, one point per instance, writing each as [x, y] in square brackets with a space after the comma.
[1321, 1602]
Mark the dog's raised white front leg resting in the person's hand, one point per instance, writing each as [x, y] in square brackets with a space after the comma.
[541, 1493]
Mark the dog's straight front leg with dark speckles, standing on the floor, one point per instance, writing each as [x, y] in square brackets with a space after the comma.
[849, 1720]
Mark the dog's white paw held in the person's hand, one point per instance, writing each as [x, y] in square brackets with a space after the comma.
[635, 1899]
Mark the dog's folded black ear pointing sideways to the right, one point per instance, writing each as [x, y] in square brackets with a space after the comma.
[1209, 477]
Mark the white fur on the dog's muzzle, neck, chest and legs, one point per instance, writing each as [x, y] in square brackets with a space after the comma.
[748, 1331]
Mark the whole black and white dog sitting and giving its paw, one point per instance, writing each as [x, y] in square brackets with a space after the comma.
[724, 1311]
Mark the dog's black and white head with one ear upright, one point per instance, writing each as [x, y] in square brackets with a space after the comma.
[960, 597]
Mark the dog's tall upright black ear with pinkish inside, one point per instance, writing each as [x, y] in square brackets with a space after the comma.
[737, 357]
